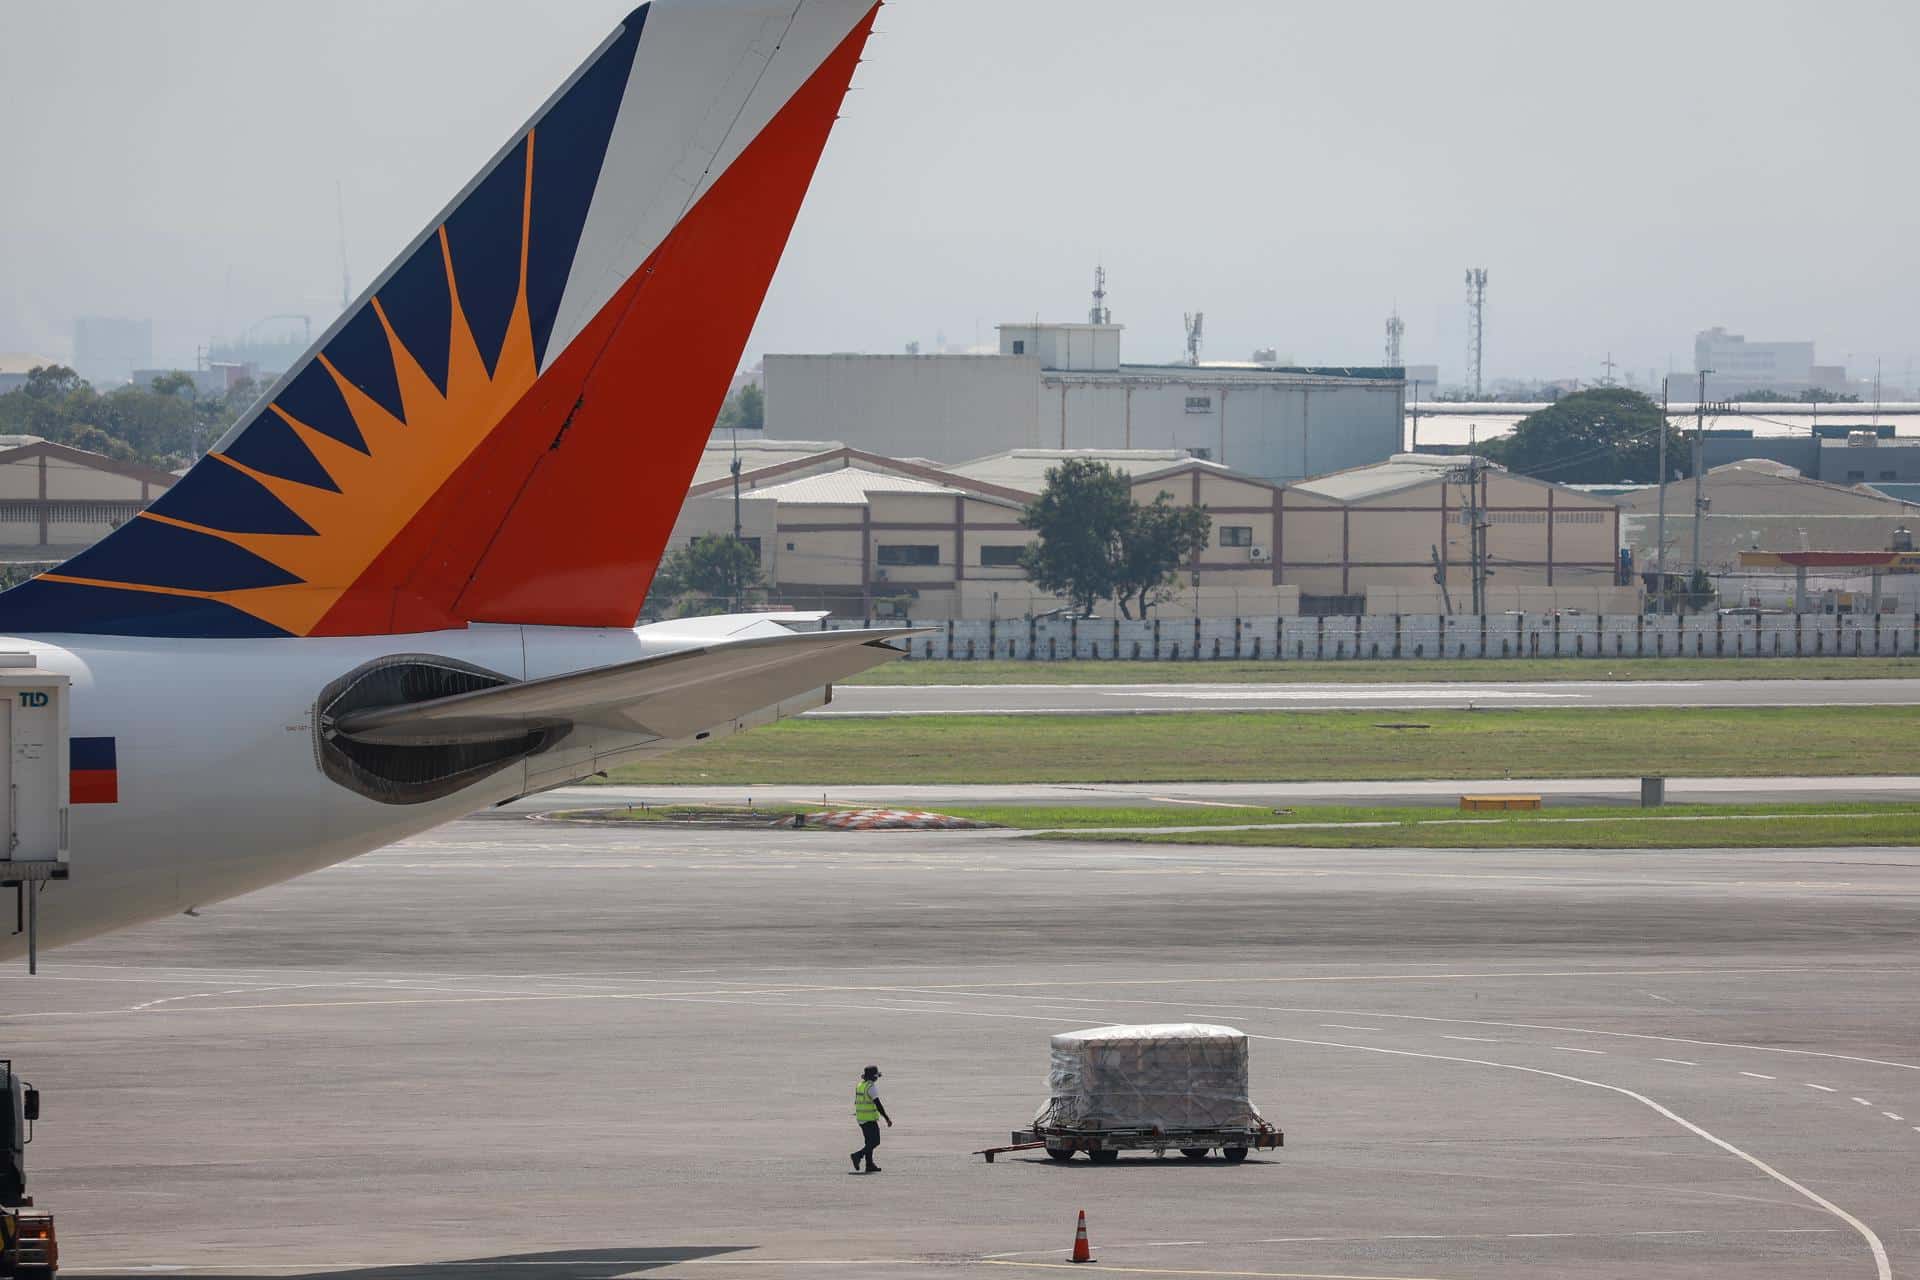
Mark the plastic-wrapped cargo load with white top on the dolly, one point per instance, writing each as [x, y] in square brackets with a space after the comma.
[1168, 1076]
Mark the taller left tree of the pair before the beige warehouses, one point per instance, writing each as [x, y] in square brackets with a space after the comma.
[1082, 517]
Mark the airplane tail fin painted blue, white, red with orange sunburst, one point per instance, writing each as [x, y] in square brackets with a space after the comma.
[504, 427]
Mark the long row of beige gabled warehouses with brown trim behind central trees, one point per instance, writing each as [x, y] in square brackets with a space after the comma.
[871, 536]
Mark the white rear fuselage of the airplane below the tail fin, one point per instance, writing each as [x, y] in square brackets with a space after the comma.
[218, 788]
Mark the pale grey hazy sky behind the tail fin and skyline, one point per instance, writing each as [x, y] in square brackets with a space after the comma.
[1627, 174]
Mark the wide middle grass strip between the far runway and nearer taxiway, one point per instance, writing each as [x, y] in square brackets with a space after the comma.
[1305, 747]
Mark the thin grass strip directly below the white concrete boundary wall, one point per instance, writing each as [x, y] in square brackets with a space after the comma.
[924, 673]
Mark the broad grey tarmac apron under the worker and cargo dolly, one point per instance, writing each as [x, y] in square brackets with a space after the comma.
[537, 1049]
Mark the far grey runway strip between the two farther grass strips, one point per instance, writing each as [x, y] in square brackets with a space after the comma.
[1241, 698]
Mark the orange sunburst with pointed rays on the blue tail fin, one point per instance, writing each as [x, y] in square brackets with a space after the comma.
[406, 463]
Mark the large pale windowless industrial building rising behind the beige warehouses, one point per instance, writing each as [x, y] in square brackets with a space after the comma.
[1065, 387]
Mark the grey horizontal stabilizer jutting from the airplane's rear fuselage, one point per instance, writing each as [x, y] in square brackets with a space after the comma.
[673, 696]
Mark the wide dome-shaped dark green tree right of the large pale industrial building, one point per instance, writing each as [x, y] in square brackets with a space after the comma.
[1595, 437]
